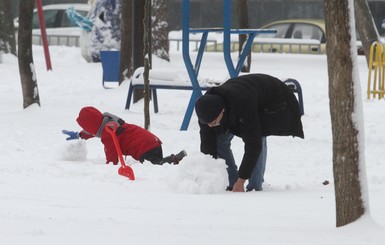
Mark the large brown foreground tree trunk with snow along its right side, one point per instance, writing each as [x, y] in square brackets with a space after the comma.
[344, 111]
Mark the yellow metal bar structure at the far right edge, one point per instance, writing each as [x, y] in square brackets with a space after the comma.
[376, 73]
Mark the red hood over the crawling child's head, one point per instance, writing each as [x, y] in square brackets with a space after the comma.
[90, 119]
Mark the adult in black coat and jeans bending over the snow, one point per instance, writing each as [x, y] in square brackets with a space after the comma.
[251, 107]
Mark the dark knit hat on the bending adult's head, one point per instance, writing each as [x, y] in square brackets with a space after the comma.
[208, 107]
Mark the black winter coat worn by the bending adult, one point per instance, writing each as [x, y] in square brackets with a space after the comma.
[256, 105]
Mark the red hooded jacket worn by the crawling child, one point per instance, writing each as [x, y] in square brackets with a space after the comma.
[134, 140]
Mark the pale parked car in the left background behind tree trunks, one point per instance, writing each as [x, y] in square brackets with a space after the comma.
[60, 30]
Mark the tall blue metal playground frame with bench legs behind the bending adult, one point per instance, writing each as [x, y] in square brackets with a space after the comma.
[193, 70]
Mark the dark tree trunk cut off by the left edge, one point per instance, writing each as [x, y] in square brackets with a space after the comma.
[7, 29]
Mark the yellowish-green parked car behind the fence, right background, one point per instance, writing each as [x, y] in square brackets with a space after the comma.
[295, 36]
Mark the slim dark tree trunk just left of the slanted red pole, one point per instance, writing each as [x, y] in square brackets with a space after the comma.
[25, 58]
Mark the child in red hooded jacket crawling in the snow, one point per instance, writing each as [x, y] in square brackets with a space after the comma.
[134, 141]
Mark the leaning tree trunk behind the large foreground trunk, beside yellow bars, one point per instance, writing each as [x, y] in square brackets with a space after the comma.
[365, 26]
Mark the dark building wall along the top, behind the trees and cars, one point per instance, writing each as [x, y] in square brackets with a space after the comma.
[204, 13]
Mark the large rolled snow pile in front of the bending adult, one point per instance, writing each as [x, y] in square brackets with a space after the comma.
[199, 174]
